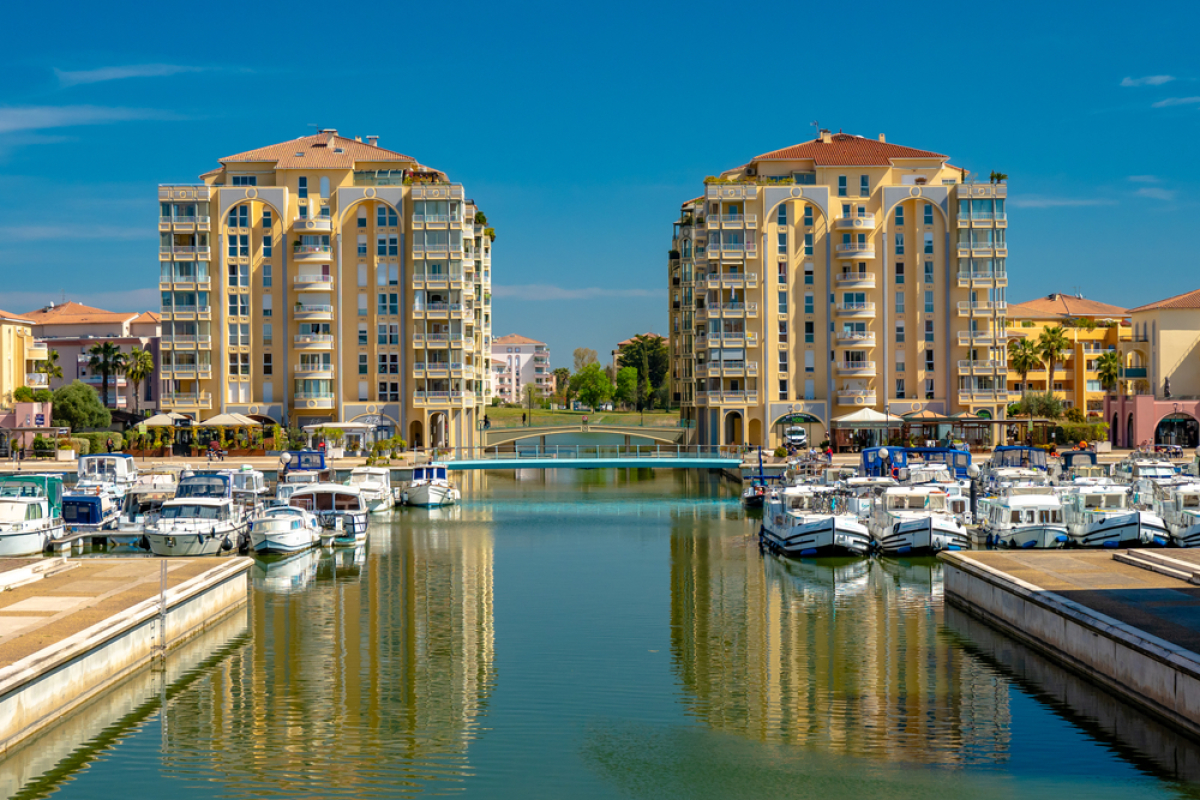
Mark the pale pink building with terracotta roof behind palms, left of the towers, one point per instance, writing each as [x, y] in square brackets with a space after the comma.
[73, 329]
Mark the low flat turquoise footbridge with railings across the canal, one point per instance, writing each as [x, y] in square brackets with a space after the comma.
[596, 458]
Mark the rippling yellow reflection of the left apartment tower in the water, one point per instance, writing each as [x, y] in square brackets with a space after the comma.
[374, 679]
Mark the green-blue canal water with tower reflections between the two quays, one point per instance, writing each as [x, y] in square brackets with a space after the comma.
[601, 635]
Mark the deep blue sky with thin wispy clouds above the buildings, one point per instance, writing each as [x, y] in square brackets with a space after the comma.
[580, 129]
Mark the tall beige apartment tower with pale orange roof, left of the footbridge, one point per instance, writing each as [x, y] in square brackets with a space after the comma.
[326, 280]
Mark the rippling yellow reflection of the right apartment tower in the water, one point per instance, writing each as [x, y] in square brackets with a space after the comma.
[839, 655]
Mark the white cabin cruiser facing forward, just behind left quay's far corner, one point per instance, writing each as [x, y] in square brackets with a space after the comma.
[203, 519]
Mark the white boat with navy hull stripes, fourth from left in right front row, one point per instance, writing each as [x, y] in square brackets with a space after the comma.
[1102, 516]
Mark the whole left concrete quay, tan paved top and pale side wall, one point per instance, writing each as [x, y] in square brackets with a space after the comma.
[73, 629]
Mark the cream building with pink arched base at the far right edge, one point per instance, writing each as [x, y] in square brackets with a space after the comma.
[1159, 396]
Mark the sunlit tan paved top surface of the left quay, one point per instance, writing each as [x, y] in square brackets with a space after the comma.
[39, 615]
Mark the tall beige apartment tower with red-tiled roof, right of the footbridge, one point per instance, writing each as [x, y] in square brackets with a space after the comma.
[837, 275]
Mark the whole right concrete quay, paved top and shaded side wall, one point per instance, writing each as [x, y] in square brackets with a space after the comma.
[1127, 621]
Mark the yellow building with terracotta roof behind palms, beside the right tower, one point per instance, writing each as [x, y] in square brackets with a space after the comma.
[1076, 378]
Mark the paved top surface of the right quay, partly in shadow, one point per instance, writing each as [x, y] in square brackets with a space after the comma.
[1156, 604]
